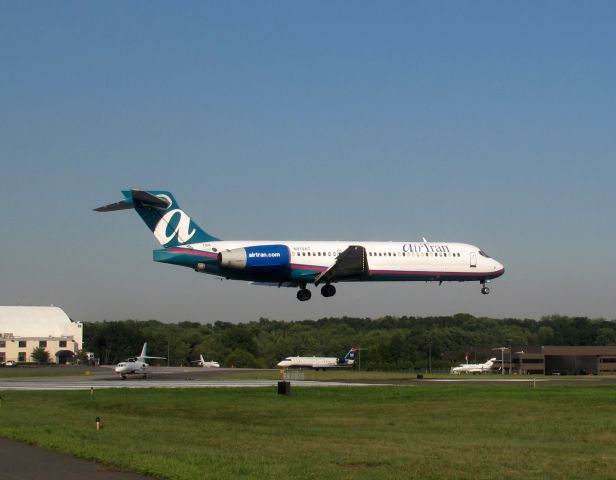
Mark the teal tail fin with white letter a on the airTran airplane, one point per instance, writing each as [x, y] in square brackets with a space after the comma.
[170, 224]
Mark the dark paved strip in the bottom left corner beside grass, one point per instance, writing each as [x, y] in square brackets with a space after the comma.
[26, 462]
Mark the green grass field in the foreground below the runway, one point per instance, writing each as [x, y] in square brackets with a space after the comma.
[427, 432]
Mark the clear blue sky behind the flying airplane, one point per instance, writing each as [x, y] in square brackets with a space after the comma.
[490, 123]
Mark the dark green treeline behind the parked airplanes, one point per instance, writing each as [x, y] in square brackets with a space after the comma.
[386, 343]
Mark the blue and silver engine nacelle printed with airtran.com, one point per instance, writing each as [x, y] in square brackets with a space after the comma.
[256, 258]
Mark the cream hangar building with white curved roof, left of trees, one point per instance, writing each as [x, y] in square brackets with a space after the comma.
[22, 329]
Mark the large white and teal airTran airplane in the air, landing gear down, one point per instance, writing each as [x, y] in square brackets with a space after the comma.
[298, 264]
